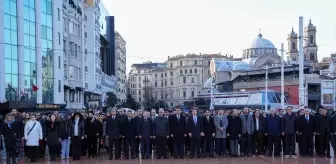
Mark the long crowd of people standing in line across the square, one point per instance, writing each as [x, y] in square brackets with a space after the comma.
[168, 133]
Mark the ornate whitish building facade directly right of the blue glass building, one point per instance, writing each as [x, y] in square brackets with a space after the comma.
[74, 38]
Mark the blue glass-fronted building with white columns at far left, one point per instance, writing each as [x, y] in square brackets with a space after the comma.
[31, 42]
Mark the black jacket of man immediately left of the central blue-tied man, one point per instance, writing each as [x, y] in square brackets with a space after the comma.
[178, 127]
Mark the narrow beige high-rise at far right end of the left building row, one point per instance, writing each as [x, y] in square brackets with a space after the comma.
[120, 67]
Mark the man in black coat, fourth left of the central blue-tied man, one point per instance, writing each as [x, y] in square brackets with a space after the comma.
[129, 134]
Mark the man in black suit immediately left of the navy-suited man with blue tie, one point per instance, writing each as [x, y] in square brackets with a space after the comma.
[178, 131]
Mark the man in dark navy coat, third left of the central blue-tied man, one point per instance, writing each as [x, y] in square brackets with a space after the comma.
[145, 130]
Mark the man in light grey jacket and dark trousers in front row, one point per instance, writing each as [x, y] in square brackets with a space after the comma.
[221, 123]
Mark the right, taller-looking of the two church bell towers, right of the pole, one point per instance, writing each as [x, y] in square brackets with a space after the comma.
[310, 47]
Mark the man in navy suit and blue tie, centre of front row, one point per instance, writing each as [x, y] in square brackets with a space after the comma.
[195, 130]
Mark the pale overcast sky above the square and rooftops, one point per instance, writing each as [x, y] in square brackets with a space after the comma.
[156, 29]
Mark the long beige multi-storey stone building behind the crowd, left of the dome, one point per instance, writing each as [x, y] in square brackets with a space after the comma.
[178, 81]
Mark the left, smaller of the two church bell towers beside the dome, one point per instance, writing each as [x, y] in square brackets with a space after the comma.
[292, 52]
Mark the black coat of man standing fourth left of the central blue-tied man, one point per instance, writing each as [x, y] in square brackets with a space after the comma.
[129, 128]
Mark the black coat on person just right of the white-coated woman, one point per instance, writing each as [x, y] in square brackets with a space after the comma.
[53, 133]
